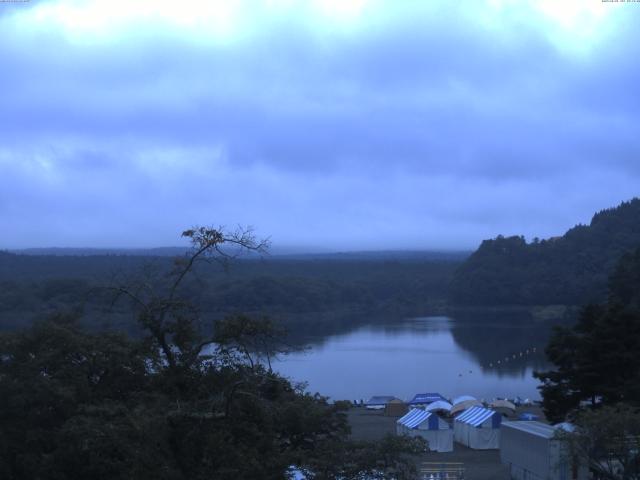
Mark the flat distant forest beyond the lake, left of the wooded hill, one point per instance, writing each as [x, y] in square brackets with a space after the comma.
[326, 291]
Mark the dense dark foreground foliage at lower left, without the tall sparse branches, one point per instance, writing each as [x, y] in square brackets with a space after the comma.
[76, 405]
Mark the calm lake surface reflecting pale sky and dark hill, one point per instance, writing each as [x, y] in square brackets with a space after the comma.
[430, 354]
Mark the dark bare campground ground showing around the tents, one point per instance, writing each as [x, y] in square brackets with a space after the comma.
[477, 464]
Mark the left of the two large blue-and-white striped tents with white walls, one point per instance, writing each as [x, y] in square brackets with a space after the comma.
[420, 423]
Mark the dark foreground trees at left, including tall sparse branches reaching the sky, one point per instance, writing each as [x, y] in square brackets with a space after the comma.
[179, 403]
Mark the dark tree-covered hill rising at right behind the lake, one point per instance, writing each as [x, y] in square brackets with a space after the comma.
[572, 269]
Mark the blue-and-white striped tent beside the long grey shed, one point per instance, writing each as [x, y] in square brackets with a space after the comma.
[478, 428]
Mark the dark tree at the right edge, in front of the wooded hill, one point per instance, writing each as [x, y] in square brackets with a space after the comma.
[597, 359]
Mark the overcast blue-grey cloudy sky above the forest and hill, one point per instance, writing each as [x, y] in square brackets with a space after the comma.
[339, 124]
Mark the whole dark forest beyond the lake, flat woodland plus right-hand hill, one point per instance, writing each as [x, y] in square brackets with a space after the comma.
[332, 290]
